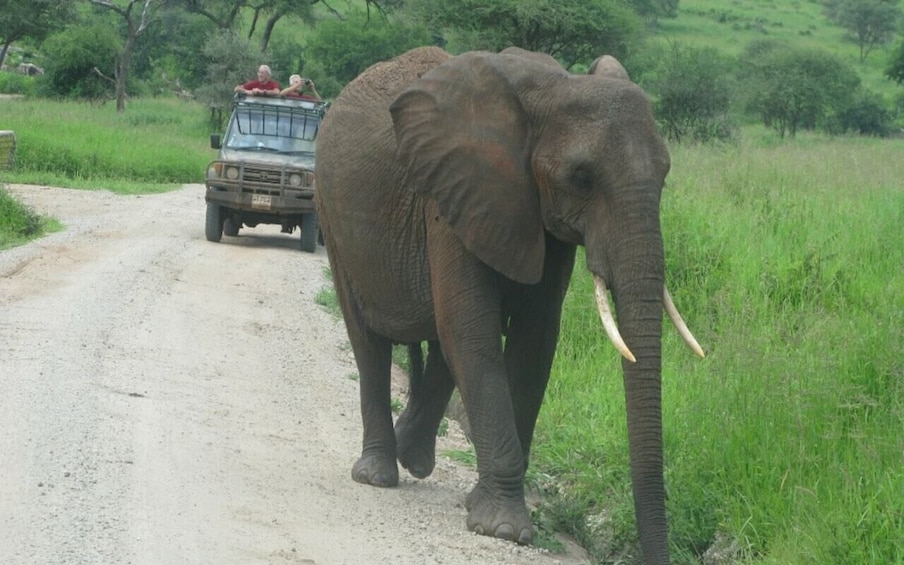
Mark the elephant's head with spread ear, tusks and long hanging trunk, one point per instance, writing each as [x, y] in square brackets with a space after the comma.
[513, 149]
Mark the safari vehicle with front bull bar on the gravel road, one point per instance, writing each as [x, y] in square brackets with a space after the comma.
[264, 173]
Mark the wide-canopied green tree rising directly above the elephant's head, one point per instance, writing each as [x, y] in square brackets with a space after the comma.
[572, 31]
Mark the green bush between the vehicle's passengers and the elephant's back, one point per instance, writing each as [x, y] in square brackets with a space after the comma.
[340, 50]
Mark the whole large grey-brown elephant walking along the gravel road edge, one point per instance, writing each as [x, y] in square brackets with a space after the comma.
[453, 192]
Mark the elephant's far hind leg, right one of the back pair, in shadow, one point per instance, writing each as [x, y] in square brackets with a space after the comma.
[416, 428]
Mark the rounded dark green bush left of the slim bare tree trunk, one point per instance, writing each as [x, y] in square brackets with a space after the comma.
[77, 51]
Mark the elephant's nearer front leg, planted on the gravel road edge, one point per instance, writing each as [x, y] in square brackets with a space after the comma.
[468, 313]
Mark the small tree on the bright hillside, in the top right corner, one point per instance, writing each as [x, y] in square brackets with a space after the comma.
[871, 22]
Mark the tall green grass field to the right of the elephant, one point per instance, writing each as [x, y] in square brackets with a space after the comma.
[788, 439]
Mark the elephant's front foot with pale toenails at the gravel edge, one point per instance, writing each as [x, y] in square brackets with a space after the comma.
[503, 518]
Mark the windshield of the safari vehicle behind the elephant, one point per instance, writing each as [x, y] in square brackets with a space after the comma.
[273, 129]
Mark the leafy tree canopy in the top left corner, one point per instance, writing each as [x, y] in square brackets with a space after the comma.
[35, 19]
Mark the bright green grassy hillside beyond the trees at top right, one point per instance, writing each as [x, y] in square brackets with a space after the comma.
[729, 25]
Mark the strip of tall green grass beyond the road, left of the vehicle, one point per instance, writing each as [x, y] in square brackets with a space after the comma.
[156, 144]
